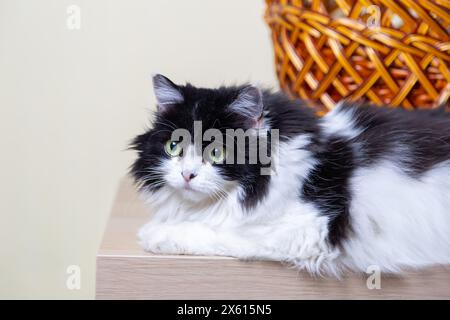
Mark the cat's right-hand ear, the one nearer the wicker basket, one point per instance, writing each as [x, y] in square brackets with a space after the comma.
[249, 103]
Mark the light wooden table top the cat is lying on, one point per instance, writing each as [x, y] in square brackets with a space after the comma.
[124, 270]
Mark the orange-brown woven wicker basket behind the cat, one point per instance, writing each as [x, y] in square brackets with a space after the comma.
[388, 52]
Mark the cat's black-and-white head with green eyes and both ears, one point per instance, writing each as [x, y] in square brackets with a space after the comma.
[194, 168]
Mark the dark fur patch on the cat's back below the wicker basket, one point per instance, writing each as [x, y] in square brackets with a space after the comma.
[416, 140]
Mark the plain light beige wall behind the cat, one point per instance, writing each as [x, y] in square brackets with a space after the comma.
[70, 100]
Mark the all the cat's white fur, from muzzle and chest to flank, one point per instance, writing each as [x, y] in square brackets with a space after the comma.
[397, 221]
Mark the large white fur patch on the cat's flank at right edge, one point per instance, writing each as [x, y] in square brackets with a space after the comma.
[399, 221]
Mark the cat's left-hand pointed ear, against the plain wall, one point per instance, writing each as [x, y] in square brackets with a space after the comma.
[167, 93]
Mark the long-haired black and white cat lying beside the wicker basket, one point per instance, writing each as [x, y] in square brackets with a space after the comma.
[362, 186]
